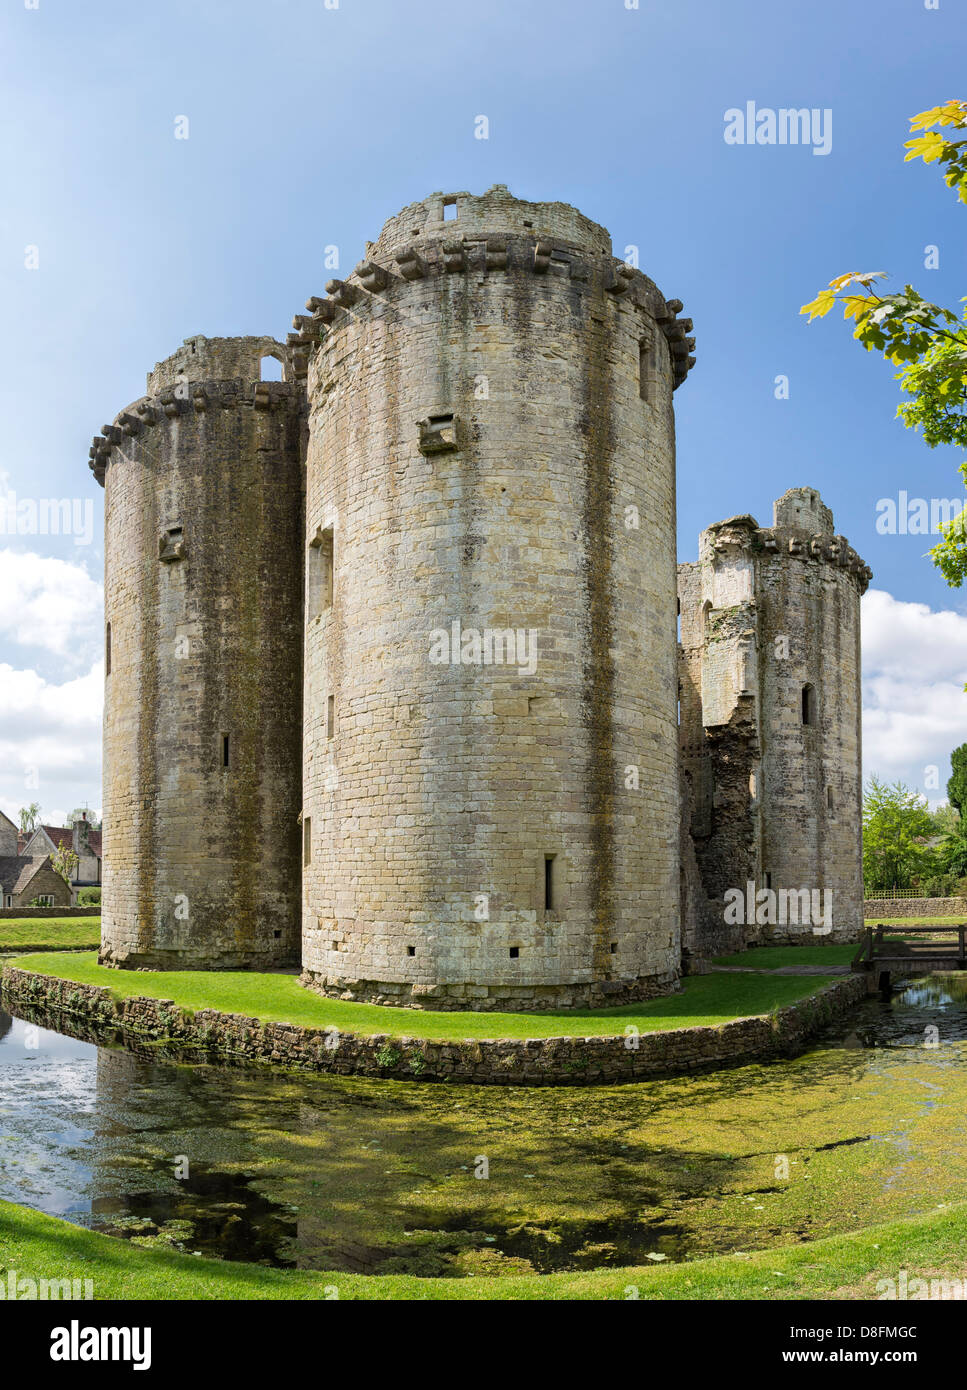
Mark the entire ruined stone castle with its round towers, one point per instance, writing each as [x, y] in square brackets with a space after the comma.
[392, 680]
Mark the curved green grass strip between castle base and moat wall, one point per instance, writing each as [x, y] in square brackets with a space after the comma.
[280, 999]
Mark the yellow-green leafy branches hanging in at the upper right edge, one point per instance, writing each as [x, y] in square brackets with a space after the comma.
[927, 341]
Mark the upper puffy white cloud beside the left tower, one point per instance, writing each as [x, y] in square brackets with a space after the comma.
[51, 604]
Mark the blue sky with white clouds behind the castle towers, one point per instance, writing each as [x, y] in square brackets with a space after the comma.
[312, 126]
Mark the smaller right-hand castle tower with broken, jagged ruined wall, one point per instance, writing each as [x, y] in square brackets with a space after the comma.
[770, 717]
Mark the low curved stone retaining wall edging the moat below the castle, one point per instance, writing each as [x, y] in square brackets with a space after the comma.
[561, 1061]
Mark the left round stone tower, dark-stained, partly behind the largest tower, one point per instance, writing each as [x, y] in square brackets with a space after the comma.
[205, 515]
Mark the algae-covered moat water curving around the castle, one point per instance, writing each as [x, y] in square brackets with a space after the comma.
[383, 1177]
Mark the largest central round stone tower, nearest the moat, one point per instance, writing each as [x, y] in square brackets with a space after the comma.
[491, 789]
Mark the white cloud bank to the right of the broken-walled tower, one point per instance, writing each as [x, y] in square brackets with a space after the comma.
[915, 708]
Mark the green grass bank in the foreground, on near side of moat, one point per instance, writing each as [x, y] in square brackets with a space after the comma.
[840, 1267]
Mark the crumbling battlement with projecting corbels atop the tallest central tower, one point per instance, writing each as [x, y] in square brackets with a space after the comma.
[494, 233]
